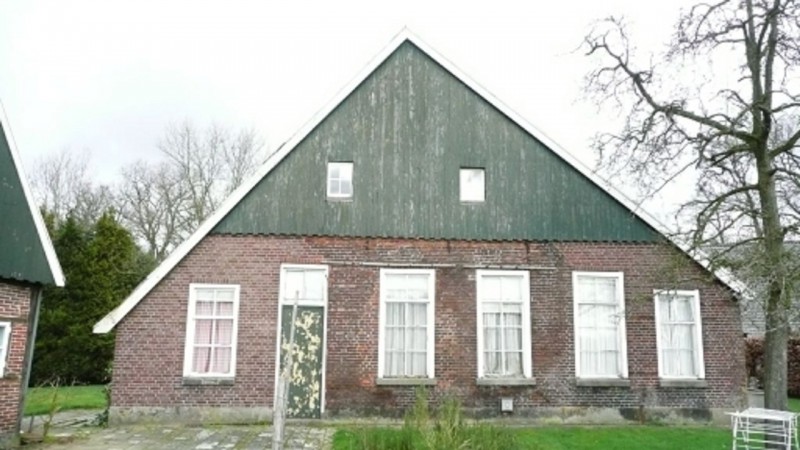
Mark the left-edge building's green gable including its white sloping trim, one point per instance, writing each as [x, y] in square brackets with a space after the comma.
[26, 251]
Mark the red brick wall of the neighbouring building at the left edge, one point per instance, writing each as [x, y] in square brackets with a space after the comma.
[14, 308]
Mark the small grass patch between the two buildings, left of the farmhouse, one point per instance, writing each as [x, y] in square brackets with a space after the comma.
[39, 400]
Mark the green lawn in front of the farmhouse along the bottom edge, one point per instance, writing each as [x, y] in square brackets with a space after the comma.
[633, 437]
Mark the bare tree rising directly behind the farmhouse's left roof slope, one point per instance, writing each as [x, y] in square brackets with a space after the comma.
[162, 203]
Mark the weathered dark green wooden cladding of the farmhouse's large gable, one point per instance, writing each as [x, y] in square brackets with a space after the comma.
[408, 129]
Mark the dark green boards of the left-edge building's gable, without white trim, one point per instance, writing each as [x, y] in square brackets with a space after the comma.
[22, 256]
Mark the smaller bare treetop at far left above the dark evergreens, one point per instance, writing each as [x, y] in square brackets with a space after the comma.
[63, 187]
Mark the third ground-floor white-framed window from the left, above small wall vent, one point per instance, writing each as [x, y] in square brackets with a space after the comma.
[504, 324]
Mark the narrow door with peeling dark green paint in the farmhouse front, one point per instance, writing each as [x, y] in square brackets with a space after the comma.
[305, 388]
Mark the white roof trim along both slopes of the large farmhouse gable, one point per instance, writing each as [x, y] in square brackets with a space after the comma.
[111, 319]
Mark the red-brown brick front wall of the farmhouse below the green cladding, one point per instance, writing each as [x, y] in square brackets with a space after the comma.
[150, 341]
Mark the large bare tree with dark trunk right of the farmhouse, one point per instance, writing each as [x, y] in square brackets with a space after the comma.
[682, 112]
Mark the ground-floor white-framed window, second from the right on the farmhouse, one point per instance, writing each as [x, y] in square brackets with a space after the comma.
[600, 339]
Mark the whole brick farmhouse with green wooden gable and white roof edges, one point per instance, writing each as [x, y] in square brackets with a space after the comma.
[428, 236]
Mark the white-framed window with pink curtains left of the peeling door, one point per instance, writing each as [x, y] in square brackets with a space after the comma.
[214, 322]
